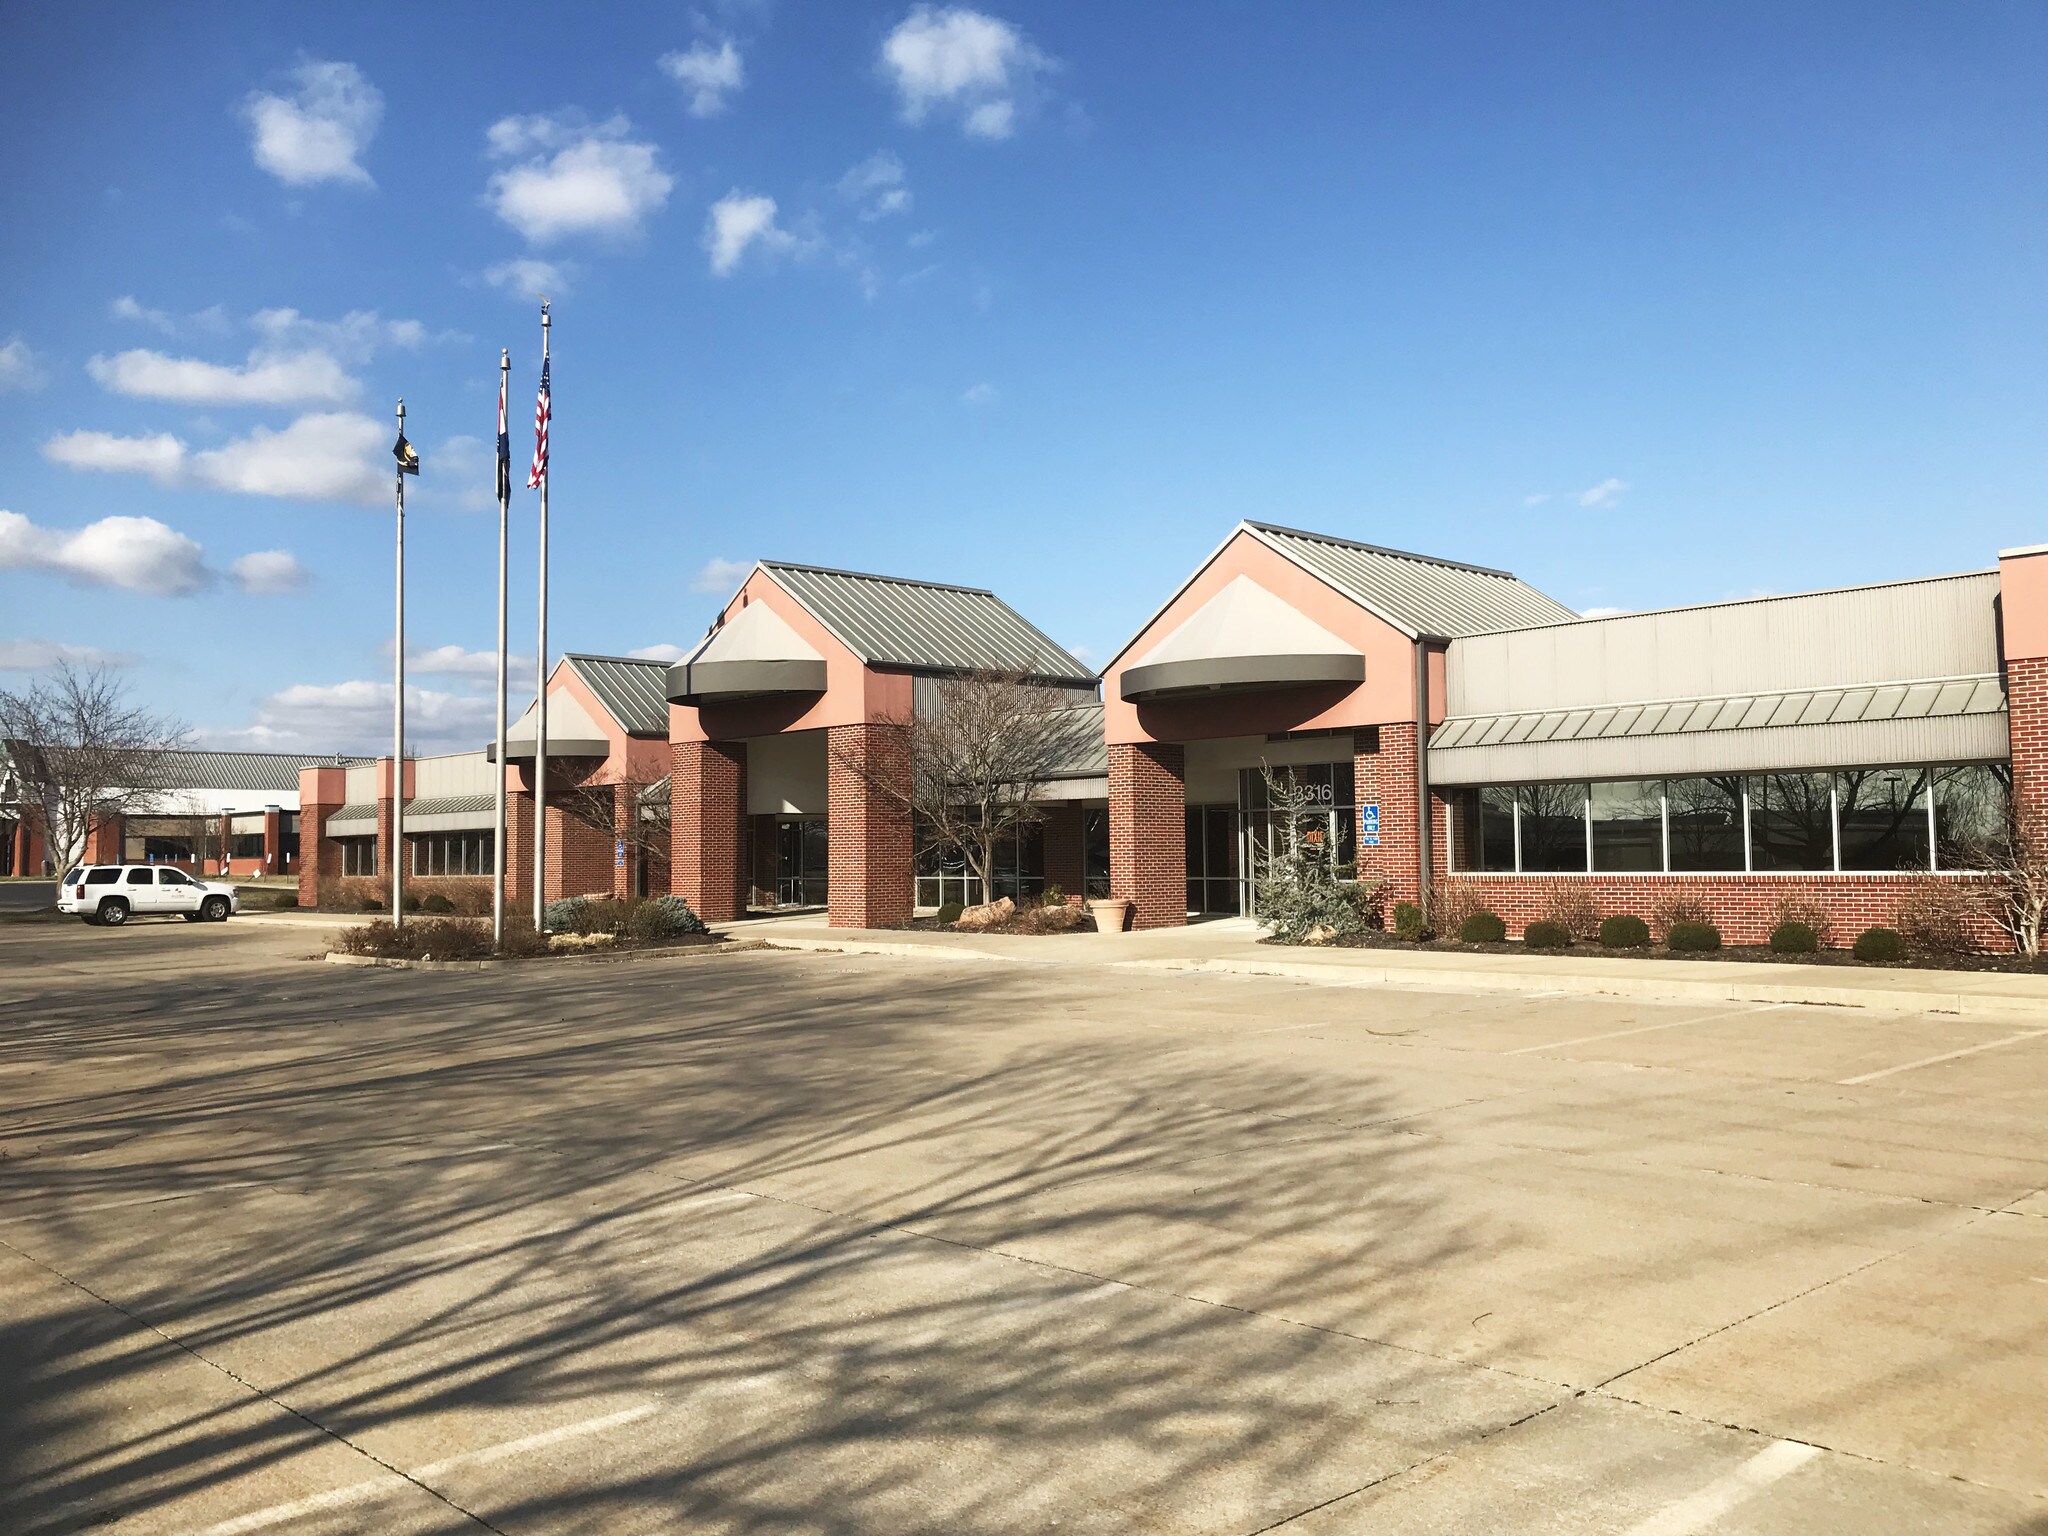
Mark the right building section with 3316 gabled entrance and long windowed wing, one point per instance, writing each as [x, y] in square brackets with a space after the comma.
[1467, 728]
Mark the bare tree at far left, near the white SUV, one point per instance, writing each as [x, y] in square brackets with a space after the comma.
[83, 753]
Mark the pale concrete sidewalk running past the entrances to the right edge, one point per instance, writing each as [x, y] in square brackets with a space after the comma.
[1232, 947]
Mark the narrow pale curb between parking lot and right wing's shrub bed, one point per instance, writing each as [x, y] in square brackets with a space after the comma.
[1721, 990]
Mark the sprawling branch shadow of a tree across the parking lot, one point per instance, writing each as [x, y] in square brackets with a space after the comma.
[841, 1246]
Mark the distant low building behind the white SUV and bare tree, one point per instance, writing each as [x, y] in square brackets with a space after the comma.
[214, 814]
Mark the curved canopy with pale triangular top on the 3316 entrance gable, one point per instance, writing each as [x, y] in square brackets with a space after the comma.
[1242, 640]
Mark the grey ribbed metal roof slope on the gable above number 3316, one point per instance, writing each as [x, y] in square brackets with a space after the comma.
[1420, 595]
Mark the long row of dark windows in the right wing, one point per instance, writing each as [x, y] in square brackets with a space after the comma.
[1844, 820]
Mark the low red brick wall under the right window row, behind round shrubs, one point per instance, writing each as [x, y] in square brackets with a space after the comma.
[1742, 906]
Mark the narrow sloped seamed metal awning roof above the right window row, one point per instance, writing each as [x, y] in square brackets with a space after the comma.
[1891, 701]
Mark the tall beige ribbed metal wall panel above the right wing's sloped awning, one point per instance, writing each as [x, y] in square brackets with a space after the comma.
[1940, 628]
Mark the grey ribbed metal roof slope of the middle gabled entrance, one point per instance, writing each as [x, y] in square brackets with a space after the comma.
[892, 622]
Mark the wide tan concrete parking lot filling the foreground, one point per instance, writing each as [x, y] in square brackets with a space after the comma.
[888, 1244]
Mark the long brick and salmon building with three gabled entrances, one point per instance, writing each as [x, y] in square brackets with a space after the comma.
[1461, 730]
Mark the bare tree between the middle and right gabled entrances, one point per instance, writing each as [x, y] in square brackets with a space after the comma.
[982, 751]
